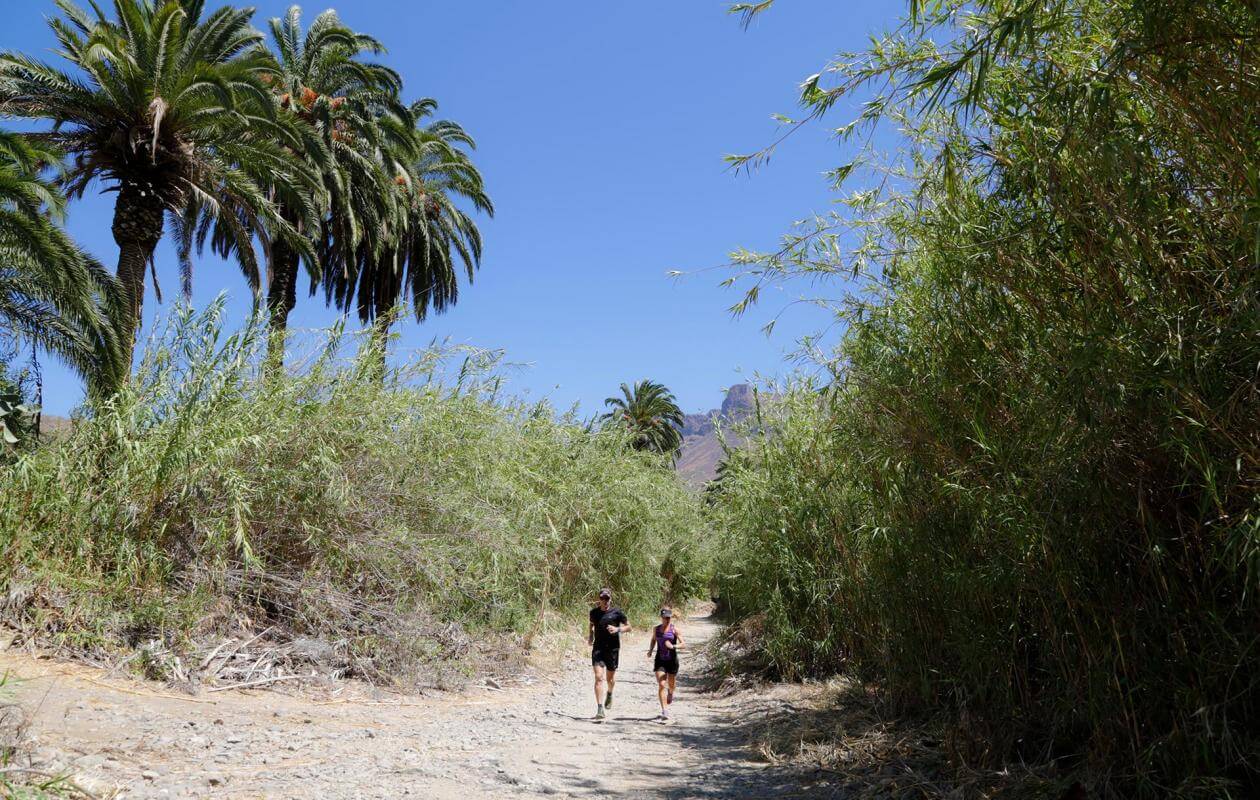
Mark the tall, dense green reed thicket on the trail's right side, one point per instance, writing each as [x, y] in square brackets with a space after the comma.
[1030, 492]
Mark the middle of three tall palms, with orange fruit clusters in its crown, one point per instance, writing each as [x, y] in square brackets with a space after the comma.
[337, 99]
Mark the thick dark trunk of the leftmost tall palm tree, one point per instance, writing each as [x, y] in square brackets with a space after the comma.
[138, 225]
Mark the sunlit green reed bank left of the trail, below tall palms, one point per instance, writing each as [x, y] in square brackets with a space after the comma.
[332, 503]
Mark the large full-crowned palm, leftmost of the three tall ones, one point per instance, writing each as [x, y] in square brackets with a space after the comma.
[169, 109]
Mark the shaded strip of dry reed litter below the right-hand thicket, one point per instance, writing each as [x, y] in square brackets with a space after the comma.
[835, 740]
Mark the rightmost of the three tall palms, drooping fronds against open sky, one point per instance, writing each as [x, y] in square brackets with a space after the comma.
[433, 236]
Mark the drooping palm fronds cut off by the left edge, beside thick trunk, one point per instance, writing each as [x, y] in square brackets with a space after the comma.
[51, 293]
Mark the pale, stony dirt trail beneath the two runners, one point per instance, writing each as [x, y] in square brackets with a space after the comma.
[132, 740]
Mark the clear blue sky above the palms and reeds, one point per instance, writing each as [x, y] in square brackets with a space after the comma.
[602, 129]
